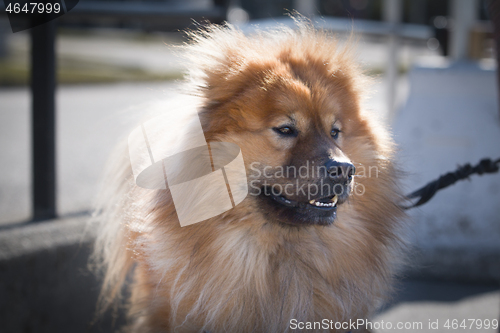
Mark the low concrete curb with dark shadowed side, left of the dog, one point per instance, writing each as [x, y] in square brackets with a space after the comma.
[46, 286]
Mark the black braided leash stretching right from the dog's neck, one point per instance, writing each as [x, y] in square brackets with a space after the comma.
[427, 192]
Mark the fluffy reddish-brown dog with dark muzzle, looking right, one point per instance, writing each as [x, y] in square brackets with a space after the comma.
[291, 100]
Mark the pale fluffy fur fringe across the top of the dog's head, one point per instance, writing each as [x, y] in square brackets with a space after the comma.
[218, 54]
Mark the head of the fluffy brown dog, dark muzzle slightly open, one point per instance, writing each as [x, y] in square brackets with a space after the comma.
[293, 106]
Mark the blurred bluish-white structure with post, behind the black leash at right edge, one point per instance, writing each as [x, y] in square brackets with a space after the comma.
[451, 119]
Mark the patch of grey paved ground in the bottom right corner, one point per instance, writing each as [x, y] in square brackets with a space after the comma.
[418, 303]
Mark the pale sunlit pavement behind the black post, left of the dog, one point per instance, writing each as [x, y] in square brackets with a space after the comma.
[90, 121]
